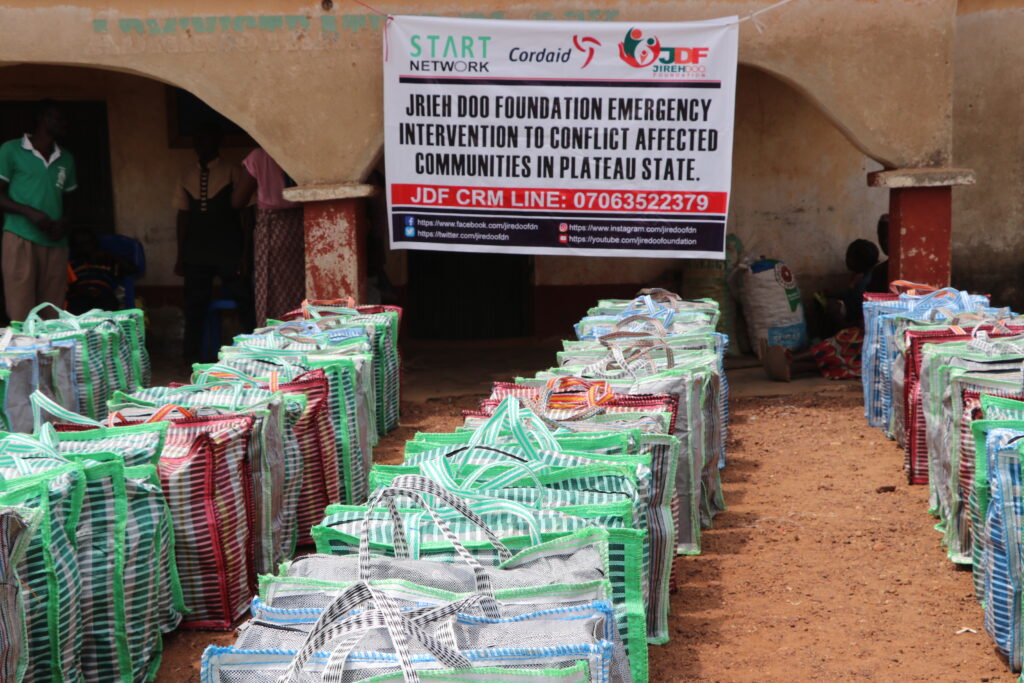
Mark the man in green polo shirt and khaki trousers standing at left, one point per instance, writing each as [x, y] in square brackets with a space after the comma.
[35, 175]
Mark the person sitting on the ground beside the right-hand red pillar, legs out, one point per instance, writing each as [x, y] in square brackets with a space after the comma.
[837, 358]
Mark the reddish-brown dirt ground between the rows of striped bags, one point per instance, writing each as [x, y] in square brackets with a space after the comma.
[826, 567]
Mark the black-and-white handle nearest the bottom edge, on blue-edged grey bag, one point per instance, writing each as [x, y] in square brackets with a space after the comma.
[388, 612]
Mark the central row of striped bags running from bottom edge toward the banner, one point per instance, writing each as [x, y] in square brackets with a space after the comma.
[563, 502]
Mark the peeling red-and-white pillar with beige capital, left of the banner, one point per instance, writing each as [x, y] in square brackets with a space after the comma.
[335, 222]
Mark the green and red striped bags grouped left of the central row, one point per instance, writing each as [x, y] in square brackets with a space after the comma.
[160, 506]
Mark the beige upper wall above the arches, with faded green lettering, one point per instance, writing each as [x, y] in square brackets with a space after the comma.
[294, 74]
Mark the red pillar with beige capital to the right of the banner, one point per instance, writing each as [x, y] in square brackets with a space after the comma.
[921, 222]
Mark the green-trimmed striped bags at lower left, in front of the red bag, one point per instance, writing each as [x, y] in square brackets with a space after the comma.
[99, 586]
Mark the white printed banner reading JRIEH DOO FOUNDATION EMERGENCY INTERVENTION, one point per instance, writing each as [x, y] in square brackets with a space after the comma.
[560, 138]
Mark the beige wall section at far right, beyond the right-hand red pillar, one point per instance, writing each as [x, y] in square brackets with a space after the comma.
[989, 220]
